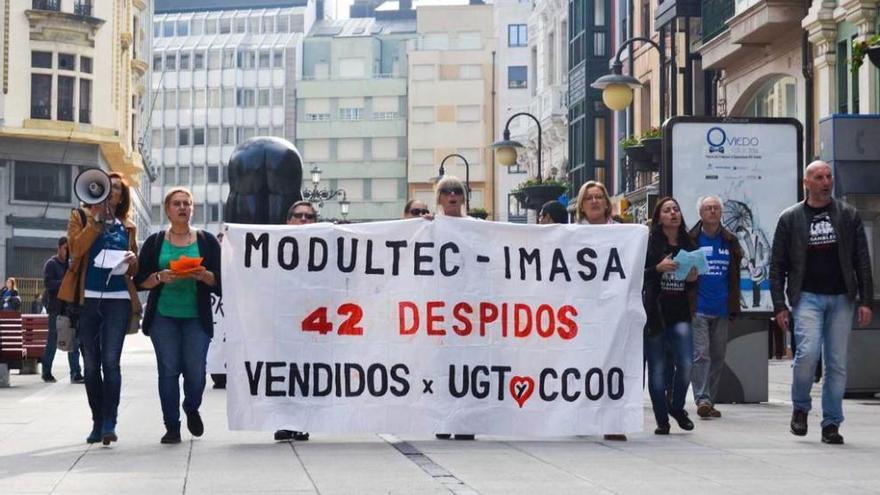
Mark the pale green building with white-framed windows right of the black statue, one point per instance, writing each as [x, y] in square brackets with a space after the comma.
[352, 111]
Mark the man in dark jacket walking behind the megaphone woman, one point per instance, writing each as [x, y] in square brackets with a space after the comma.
[53, 273]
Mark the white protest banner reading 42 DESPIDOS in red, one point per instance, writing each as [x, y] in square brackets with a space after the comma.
[448, 326]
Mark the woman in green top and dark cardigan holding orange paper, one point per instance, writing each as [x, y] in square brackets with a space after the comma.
[181, 268]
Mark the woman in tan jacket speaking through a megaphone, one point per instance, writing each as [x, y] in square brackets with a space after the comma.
[99, 233]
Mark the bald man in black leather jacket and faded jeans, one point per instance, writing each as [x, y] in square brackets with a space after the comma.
[821, 262]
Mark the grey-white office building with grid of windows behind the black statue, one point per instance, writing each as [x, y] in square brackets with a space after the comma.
[222, 72]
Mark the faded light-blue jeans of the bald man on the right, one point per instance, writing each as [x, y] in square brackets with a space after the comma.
[822, 324]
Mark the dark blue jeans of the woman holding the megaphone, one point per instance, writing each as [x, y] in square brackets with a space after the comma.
[101, 332]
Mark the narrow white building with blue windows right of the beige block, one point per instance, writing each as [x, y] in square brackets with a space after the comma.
[513, 94]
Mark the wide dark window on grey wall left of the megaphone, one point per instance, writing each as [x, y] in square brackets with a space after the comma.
[36, 181]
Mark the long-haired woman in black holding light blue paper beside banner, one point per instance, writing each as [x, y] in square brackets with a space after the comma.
[667, 304]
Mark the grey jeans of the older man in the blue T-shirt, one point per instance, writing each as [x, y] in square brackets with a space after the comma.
[710, 346]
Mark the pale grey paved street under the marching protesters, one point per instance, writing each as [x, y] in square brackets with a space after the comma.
[43, 450]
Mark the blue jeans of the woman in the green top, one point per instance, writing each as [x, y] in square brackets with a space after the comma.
[181, 346]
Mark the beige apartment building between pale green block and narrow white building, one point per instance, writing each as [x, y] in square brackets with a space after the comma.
[450, 104]
